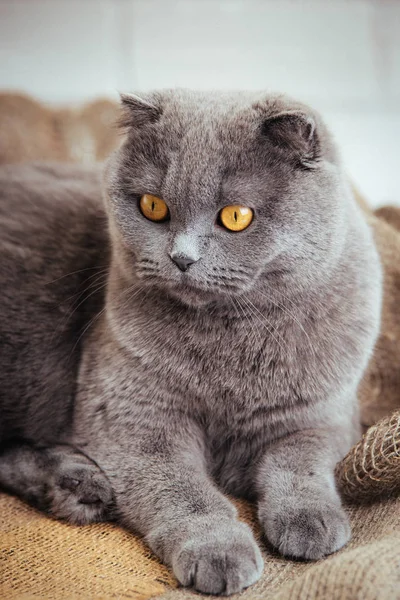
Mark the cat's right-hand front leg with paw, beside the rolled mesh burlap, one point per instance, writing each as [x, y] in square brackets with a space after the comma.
[299, 507]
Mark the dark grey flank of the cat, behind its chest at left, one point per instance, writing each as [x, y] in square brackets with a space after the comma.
[53, 241]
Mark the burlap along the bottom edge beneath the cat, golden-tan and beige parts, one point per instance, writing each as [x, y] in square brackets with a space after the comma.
[41, 558]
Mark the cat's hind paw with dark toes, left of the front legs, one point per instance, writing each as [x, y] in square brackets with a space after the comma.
[80, 493]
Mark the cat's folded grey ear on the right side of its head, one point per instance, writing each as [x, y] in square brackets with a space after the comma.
[294, 134]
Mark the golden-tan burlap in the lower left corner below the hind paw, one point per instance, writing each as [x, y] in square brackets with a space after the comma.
[43, 558]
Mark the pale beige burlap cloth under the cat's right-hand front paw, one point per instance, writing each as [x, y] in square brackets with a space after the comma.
[367, 569]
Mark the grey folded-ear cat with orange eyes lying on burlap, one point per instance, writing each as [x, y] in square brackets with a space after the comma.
[154, 356]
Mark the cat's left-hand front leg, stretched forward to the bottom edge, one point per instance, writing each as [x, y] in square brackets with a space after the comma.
[163, 491]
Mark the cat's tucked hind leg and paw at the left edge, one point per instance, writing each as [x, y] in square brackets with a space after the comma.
[57, 479]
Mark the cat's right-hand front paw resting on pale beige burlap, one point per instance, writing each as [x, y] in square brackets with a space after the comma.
[307, 532]
